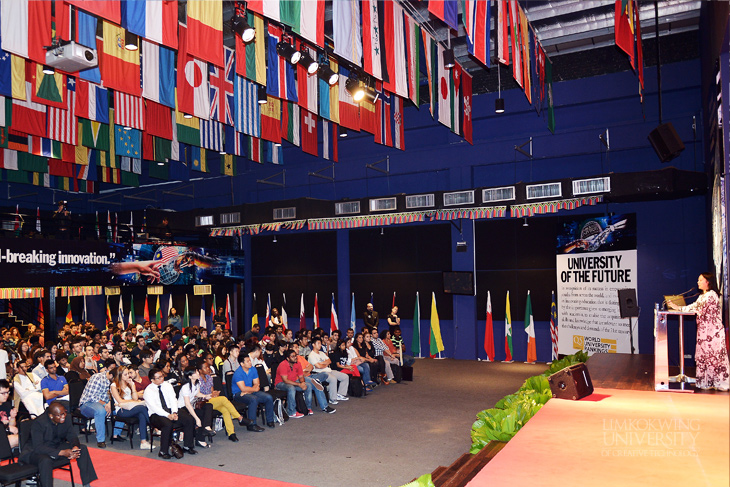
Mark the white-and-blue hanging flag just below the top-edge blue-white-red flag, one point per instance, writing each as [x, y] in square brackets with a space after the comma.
[158, 73]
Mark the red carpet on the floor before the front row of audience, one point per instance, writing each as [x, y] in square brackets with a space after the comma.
[114, 470]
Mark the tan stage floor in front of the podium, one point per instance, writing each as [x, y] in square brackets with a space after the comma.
[619, 438]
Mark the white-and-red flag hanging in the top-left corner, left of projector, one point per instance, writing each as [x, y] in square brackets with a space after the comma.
[26, 28]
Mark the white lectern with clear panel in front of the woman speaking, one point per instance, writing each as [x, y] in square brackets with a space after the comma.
[661, 352]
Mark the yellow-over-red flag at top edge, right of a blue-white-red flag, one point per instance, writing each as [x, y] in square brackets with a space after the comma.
[205, 24]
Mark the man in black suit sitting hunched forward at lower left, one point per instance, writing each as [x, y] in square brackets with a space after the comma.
[53, 437]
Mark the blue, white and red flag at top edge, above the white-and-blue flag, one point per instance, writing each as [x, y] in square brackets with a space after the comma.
[152, 19]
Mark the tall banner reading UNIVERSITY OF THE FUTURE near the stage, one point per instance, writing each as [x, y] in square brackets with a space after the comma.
[595, 258]
